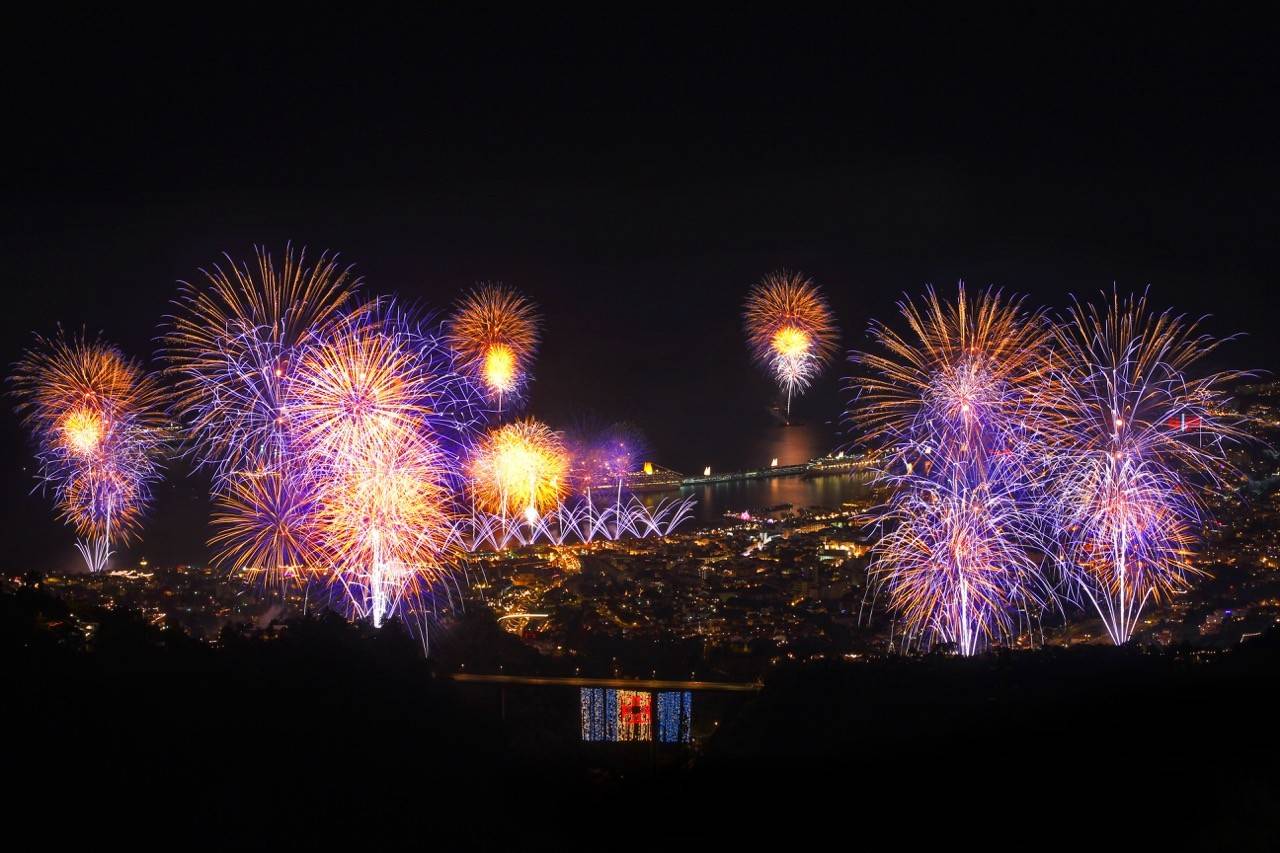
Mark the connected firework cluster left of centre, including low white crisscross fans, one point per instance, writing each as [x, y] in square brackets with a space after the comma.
[341, 437]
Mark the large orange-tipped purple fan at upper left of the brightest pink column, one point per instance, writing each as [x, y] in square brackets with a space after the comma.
[232, 345]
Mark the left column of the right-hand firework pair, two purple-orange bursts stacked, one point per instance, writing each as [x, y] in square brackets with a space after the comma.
[958, 407]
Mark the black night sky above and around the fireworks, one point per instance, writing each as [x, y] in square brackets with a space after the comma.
[634, 175]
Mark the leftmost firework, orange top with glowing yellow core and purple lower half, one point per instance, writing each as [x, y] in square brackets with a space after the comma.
[100, 435]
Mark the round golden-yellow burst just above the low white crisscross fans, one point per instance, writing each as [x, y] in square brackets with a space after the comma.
[520, 469]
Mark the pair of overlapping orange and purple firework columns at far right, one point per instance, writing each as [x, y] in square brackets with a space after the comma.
[1018, 446]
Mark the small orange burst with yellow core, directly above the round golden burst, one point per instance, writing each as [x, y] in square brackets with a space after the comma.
[496, 332]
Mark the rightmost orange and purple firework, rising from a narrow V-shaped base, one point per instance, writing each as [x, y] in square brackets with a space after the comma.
[1140, 434]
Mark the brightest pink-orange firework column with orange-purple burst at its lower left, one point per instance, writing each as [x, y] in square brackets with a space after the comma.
[376, 419]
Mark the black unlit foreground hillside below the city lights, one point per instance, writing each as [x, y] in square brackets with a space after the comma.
[322, 735]
